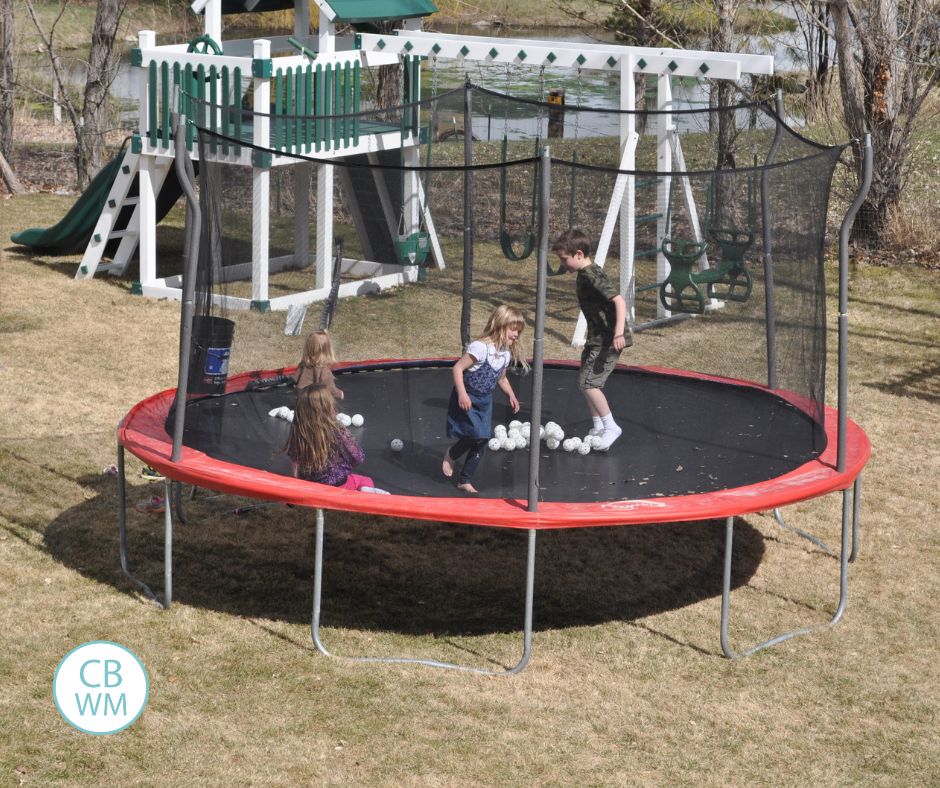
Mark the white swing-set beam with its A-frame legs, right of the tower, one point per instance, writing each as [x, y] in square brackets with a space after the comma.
[626, 61]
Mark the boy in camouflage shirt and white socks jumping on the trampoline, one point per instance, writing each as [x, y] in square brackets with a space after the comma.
[605, 311]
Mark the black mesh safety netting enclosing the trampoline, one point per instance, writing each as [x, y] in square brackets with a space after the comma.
[732, 232]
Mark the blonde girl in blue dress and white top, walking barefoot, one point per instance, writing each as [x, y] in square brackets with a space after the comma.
[480, 370]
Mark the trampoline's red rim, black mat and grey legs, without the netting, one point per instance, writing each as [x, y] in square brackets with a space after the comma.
[694, 447]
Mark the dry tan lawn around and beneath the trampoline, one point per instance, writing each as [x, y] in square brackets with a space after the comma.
[627, 684]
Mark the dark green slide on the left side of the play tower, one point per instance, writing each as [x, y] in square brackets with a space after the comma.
[72, 233]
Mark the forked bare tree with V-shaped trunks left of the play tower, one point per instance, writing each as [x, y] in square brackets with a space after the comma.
[90, 122]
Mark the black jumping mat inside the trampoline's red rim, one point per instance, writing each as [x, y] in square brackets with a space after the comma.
[681, 434]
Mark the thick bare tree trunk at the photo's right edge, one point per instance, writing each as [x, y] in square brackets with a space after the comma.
[884, 51]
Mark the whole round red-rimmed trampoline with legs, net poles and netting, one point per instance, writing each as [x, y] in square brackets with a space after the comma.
[697, 445]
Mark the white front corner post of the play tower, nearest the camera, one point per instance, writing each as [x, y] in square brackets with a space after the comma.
[261, 182]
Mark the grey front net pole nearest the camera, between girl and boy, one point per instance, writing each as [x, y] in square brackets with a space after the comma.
[538, 341]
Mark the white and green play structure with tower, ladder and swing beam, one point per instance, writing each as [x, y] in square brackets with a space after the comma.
[312, 75]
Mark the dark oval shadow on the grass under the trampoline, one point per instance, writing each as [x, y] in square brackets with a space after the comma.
[400, 575]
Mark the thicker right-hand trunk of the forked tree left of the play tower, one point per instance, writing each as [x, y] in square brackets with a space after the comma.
[102, 68]
